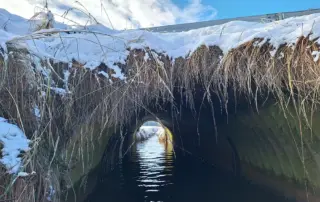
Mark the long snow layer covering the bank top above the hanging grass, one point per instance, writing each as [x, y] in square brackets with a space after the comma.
[98, 44]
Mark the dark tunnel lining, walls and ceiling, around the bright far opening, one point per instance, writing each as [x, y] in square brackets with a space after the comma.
[250, 140]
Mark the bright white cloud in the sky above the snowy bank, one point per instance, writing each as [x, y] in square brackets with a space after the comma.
[122, 13]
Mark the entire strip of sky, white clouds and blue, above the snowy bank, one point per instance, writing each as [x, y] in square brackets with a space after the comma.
[129, 14]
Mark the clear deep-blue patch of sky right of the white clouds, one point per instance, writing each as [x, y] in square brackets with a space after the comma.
[236, 8]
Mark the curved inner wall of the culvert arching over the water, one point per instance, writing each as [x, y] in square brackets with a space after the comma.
[265, 147]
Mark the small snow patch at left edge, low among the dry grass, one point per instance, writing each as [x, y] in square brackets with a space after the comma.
[13, 141]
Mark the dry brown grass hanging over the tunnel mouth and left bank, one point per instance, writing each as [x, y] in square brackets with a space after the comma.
[291, 76]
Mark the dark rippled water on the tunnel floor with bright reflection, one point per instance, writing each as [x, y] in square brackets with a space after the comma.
[152, 173]
